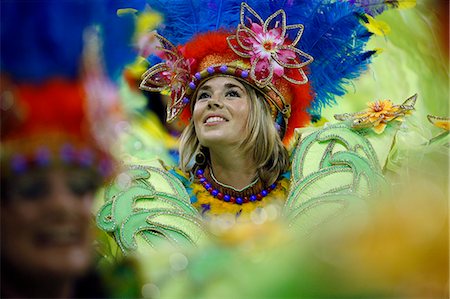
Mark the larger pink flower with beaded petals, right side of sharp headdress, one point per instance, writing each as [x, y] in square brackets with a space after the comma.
[268, 46]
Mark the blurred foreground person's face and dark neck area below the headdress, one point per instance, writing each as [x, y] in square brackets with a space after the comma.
[47, 237]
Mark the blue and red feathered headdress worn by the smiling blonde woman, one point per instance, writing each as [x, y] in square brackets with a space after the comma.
[269, 44]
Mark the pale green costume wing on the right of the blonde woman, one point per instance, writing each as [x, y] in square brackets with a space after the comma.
[332, 168]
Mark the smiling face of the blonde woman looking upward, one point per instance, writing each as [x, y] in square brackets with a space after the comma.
[221, 112]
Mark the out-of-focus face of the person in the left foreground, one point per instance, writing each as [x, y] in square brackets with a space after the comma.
[46, 222]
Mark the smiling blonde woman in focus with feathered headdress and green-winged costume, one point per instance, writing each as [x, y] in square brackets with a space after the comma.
[242, 94]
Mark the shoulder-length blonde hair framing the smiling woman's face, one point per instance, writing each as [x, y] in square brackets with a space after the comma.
[263, 141]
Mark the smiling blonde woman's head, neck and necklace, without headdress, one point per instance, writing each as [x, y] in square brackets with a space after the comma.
[238, 150]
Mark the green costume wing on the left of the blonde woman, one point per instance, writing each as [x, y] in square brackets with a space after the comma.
[148, 206]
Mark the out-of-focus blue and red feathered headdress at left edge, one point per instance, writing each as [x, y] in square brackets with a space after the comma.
[48, 97]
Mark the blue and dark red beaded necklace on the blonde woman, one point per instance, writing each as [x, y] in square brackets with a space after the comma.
[237, 196]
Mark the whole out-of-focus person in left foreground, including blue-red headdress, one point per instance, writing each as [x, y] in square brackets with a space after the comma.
[58, 111]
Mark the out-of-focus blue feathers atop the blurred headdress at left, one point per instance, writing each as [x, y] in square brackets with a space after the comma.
[42, 39]
